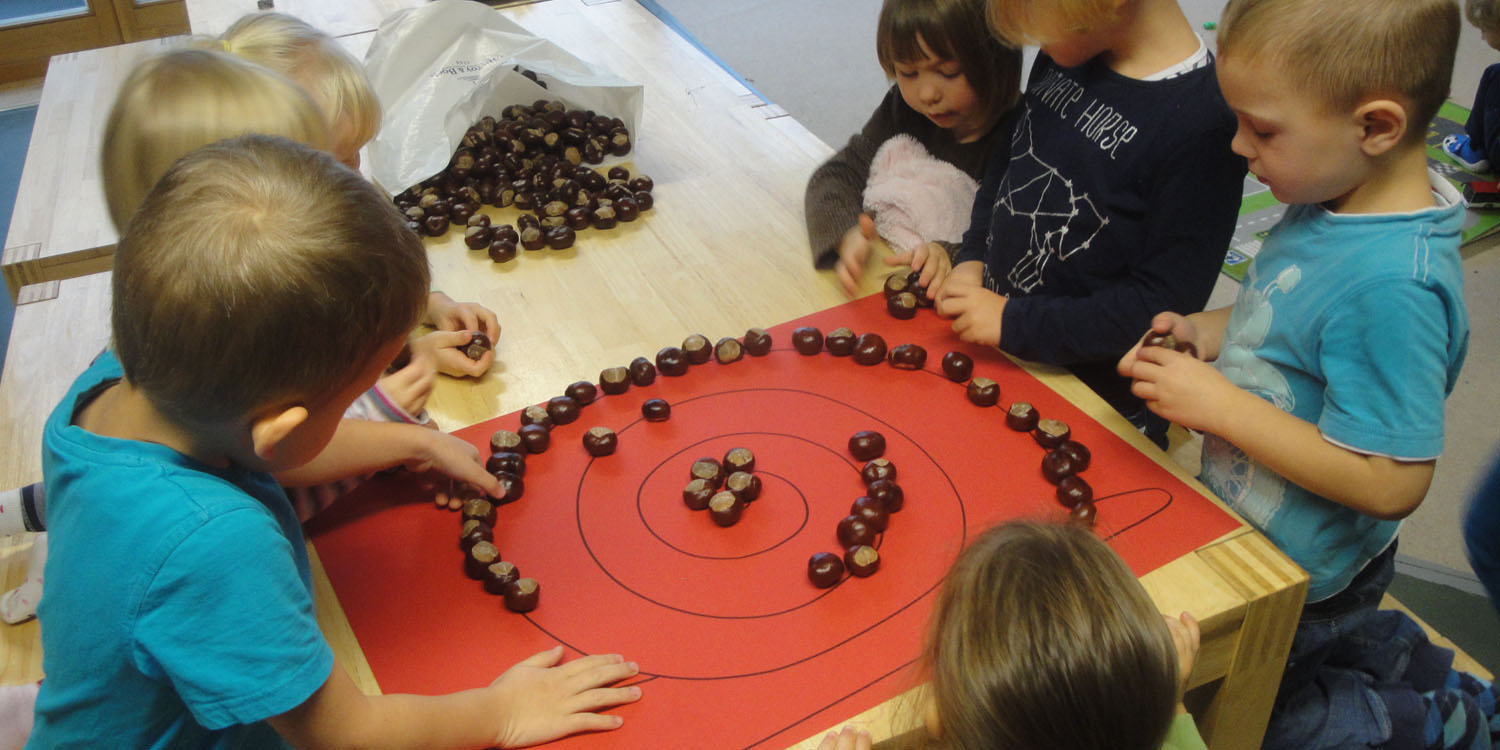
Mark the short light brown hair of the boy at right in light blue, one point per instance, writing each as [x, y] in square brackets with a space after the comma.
[1348, 52]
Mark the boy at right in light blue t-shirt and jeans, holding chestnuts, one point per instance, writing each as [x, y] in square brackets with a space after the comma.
[1324, 404]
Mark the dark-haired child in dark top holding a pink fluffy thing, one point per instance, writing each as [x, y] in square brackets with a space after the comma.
[955, 85]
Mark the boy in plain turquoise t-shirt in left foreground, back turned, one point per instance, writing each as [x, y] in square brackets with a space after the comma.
[158, 458]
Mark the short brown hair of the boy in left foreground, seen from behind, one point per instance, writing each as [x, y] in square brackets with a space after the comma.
[260, 272]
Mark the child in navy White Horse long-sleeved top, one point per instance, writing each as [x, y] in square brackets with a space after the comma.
[1120, 197]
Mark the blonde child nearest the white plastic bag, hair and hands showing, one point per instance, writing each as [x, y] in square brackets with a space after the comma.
[337, 82]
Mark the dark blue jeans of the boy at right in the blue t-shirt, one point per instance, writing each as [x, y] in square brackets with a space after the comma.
[1357, 673]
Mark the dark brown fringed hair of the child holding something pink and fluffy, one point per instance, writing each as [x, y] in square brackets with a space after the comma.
[952, 31]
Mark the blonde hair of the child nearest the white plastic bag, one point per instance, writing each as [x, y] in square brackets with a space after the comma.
[316, 61]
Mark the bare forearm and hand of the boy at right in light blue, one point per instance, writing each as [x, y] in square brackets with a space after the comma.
[1195, 395]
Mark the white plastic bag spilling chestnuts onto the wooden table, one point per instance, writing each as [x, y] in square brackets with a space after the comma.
[442, 67]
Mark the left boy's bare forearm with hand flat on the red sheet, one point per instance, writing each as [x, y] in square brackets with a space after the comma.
[533, 703]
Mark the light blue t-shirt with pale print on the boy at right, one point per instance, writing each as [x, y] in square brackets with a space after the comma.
[1357, 325]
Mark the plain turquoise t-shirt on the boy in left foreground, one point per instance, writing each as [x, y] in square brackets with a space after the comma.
[179, 599]
